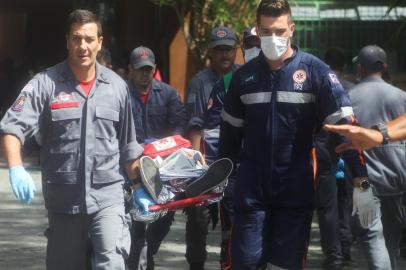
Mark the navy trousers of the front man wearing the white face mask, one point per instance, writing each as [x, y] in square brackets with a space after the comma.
[273, 235]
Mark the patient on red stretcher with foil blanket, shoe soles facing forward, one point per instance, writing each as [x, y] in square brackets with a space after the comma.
[179, 179]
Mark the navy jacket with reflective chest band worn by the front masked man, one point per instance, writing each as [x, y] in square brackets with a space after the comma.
[275, 114]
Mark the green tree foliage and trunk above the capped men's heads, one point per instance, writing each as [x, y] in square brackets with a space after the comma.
[197, 17]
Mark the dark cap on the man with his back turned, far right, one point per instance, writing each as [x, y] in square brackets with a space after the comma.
[371, 56]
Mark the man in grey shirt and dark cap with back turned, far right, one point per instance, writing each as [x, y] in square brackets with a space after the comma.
[375, 102]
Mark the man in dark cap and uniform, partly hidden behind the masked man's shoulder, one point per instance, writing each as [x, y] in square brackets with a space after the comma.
[222, 52]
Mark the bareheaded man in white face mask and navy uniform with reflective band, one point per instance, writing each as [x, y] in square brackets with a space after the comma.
[271, 110]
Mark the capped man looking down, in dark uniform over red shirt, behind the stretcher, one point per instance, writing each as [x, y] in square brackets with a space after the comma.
[158, 112]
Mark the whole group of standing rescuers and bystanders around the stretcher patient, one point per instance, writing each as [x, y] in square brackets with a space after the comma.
[294, 128]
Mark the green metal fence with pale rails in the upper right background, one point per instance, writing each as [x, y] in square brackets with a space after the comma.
[350, 25]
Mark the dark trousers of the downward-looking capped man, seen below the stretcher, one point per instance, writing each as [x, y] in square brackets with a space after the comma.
[146, 240]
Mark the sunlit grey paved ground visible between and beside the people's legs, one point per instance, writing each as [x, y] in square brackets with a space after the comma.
[22, 244]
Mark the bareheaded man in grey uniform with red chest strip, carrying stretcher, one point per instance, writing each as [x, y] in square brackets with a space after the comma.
[83, 113]
